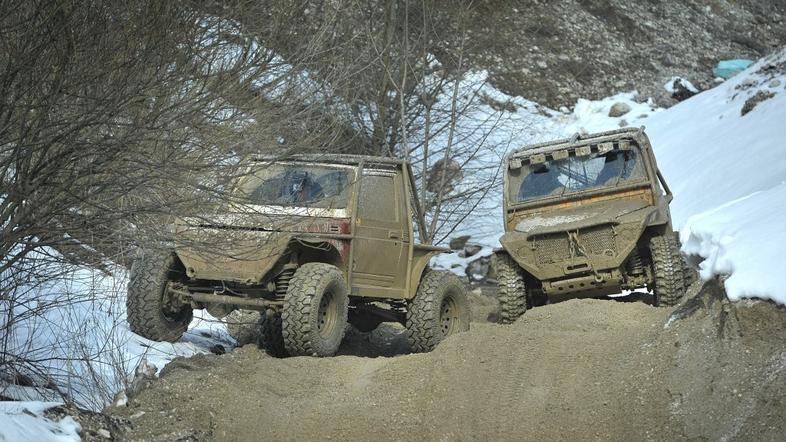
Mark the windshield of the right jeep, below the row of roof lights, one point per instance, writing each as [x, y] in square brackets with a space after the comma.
[574, 174]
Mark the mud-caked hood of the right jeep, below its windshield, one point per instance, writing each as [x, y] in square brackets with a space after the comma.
[610, 212]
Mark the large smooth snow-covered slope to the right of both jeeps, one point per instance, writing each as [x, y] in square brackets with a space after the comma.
[727, 171]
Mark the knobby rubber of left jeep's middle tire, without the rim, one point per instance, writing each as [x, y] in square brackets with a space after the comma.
[298, 324]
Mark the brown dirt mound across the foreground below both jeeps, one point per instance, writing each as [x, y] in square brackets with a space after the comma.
[577, 370]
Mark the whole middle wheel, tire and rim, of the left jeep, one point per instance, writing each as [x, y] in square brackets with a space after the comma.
[315, 311]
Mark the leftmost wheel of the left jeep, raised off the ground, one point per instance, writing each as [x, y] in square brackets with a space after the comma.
[149, 314]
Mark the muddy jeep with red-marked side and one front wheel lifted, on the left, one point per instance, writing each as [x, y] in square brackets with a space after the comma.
[316, 242]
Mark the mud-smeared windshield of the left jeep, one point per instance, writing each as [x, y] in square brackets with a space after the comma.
[299, 185]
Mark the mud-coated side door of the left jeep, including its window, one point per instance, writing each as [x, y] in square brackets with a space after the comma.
[381, 243]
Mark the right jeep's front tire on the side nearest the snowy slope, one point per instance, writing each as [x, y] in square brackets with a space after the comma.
[667, 265]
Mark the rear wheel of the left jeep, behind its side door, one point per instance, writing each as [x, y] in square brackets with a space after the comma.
[440, 308]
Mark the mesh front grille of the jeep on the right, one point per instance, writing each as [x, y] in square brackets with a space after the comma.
[556, 247]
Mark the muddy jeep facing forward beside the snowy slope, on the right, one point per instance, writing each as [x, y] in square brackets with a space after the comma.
[584, 217]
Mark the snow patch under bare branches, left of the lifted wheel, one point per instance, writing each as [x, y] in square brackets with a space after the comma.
[75, 329]
